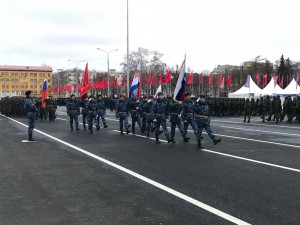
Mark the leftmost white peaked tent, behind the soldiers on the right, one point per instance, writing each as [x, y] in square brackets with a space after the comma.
[246, 92]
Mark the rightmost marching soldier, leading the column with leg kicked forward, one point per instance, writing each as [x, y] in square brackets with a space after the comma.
[202, 118]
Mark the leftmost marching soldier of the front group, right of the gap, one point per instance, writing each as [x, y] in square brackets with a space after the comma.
[122, 113]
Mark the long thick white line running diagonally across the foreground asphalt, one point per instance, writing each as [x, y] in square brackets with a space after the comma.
[147, 180]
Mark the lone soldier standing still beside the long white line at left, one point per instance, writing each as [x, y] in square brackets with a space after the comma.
[31, 111]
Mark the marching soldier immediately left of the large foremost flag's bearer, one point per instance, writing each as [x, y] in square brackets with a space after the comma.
[160, 109]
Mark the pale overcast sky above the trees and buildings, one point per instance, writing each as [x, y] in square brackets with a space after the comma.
[211, 32]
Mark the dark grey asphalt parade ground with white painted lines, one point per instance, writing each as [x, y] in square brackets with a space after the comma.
[74, 177]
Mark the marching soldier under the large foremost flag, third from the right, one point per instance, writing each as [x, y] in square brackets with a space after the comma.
[175, 118]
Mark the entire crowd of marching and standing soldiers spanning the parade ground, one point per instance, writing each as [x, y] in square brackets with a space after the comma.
[151, 114]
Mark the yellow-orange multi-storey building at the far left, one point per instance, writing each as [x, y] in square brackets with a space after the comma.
[16, 80]
